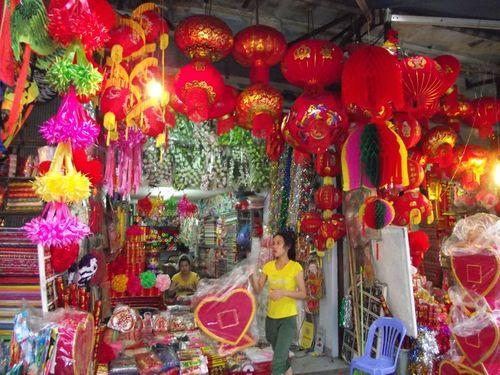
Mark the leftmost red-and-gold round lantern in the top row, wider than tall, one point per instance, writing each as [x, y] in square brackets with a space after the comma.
[204, 37]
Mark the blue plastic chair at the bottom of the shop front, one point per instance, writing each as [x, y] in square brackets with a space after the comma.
[391, 333]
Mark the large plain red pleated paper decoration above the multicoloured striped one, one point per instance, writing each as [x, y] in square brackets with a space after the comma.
[371, 83]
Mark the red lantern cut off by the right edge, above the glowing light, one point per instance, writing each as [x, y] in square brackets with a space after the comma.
[485, 113]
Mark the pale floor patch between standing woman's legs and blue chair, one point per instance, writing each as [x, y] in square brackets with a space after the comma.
[303, 364]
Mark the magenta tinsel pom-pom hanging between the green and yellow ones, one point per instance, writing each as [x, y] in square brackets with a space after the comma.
[71, 124]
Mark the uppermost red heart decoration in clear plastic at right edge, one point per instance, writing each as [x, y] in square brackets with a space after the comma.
[478, 272]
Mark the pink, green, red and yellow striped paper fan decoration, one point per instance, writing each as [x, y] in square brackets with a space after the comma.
[374, 156]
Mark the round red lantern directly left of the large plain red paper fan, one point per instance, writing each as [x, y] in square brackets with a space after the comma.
[312, 64]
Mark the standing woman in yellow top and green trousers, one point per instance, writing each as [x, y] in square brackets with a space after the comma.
[286, 286]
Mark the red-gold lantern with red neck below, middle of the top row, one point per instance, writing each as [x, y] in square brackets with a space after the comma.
[259, 47]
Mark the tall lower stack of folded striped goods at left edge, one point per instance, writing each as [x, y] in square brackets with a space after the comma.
[19, 280]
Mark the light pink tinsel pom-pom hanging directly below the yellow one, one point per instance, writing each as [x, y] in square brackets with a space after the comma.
[56, 227]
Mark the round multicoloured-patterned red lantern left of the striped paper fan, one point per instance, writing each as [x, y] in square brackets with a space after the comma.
[314, 122]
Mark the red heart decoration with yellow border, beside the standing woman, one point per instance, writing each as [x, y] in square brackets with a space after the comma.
[226, 317]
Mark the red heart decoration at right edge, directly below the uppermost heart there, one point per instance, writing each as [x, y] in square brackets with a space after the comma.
[482, 344]
